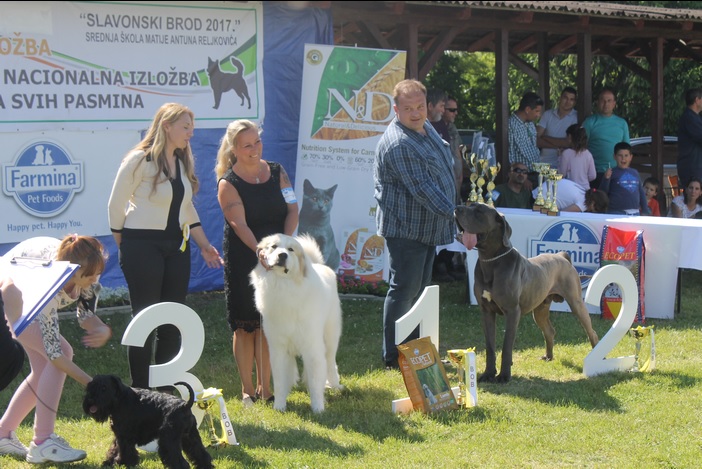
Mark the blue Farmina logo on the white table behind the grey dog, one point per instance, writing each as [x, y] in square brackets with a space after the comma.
[575, 238]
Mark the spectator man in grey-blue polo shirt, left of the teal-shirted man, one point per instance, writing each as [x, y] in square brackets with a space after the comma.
[522, 135]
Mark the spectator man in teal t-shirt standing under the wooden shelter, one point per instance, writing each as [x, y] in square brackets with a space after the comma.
[604, 130]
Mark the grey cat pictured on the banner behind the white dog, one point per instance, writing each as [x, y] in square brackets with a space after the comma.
[315, 220]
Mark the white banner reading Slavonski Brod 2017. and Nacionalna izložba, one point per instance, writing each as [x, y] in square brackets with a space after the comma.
[97, 66]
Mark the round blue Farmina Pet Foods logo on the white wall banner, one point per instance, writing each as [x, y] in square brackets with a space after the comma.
[43, 179]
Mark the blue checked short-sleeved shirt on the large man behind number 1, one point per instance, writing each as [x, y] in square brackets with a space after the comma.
[414, 185]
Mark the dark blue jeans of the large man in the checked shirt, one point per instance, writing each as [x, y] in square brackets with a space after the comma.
[410, 271]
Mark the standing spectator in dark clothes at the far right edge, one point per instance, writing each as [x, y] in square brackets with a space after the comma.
[690, 138]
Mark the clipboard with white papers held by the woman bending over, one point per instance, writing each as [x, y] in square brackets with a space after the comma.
[39, 280]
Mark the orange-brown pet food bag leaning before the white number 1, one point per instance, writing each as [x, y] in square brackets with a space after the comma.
[425, 377]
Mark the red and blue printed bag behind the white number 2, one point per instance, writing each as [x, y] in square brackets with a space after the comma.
[627, 249]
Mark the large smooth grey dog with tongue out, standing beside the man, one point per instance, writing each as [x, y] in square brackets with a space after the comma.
[510, 284]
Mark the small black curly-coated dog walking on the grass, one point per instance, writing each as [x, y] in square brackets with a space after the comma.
[139, 416]
